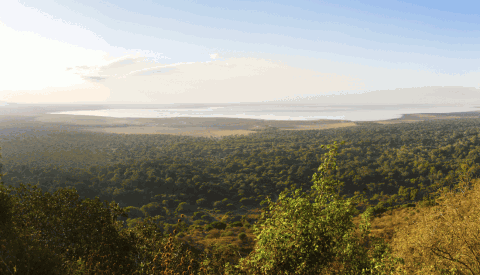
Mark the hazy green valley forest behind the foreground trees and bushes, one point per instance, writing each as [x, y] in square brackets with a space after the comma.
[237, 172]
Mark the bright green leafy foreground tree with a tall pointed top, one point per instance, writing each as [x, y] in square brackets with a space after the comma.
[310, 232]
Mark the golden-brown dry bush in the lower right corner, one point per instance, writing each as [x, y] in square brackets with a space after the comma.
[444, 238]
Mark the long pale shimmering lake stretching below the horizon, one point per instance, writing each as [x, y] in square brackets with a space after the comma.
[274, 111]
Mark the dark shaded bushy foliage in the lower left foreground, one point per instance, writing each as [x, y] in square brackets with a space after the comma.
[60, 227]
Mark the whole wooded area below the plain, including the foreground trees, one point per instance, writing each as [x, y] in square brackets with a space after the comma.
[272, 202]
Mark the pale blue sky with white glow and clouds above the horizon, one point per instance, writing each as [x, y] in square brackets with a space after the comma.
[181, 51]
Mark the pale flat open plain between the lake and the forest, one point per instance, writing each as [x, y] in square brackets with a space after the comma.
[201, 127]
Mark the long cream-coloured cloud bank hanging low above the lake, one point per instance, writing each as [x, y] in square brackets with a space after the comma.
[231, 80]
